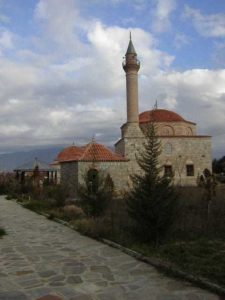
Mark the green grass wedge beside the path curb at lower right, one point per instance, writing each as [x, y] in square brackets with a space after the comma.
[202, 258]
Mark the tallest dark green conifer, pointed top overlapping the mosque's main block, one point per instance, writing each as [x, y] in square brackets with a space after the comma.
[152, 201]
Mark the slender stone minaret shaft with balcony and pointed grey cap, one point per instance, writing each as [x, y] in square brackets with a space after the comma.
[131, 66]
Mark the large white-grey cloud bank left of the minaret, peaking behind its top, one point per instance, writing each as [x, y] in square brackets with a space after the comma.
[57, 100]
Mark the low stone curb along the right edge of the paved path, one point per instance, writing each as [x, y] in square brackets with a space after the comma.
[162, 266]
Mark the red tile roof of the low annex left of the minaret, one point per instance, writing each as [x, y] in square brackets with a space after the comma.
[90, 152]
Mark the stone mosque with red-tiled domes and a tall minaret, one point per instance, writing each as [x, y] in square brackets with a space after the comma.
[184, 154]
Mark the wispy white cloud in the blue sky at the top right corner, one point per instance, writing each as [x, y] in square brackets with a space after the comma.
[207, 25]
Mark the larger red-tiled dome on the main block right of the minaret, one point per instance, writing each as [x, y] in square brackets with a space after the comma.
[160, 115]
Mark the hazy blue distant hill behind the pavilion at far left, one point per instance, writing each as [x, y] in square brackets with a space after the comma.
[8, 162]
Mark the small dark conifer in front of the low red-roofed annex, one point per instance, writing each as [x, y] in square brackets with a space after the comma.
[96, 193]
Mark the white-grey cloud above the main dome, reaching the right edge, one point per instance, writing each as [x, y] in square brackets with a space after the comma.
[199, 94]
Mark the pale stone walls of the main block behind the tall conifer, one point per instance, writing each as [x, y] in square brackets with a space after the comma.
[177, 152]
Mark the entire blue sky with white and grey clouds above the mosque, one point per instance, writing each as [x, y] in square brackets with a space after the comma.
[61, 78]
